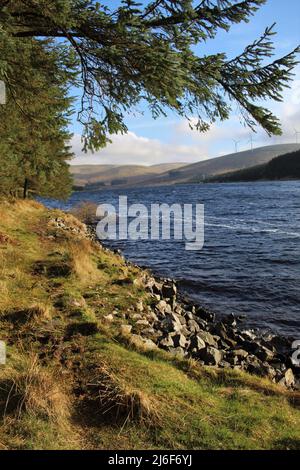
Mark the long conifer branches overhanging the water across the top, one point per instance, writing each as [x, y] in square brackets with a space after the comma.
[146, 52]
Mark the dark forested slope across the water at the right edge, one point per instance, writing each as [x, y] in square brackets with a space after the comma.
[283, 167]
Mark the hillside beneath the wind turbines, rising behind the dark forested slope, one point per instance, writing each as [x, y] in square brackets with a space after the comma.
[196, 172]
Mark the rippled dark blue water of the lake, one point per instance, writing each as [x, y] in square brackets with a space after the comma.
[250, 262]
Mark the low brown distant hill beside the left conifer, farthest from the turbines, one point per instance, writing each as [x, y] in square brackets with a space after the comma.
[112, 174]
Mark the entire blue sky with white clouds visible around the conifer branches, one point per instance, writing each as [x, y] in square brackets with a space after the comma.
[170, 139]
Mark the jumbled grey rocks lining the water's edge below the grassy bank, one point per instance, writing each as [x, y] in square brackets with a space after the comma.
[177, 325]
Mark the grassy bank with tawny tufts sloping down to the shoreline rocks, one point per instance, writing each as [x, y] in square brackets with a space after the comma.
[73, 381]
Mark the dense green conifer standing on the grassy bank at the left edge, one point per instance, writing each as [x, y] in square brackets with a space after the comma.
[33, 127]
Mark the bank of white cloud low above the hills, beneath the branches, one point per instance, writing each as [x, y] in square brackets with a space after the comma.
[191, 146]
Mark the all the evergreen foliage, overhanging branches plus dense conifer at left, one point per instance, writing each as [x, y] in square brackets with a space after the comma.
[121, 57]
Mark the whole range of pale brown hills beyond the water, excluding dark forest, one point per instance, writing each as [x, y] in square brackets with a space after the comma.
[102, 176]
